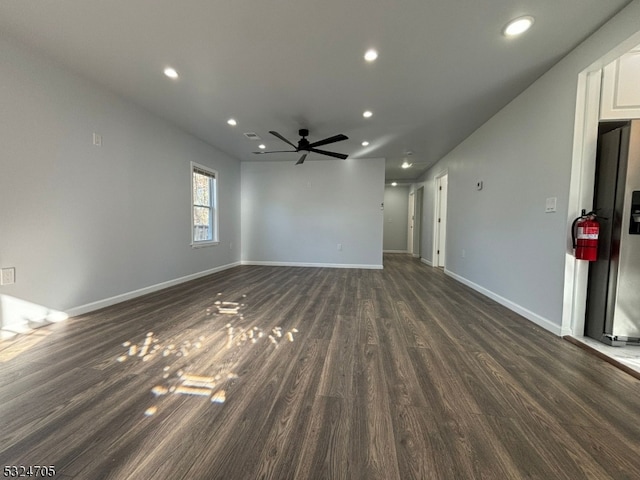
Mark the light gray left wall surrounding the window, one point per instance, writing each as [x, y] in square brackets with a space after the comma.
[82, 223]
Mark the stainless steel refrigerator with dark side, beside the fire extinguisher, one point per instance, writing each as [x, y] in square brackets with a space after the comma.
[613, 295]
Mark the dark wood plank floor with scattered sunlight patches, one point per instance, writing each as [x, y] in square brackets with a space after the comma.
[401, 373]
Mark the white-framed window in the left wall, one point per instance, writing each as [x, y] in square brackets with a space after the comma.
[204, 192]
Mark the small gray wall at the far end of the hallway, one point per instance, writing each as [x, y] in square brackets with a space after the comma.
[396, 218]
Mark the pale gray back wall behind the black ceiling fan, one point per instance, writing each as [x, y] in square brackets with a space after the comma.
[298, 214]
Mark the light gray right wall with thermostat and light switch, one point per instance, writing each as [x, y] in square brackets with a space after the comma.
[514, 250]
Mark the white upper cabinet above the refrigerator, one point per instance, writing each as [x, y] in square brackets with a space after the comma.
[621, 88]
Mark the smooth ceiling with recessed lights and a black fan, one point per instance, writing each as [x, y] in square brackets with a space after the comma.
[444, 67]
